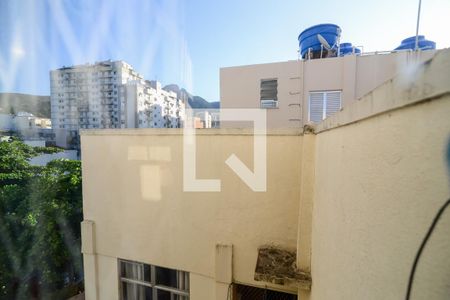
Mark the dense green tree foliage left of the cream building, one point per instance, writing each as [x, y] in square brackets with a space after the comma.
[40, 215]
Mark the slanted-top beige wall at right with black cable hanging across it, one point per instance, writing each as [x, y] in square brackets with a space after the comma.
[379, 181]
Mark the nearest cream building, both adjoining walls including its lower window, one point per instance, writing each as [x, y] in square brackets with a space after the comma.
[346, 205]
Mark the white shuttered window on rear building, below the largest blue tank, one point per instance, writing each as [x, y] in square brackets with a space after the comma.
[323, 104]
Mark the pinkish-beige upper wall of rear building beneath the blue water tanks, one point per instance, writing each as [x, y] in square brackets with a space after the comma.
[354, 75]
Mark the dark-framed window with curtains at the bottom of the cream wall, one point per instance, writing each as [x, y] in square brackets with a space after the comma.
[140, 281]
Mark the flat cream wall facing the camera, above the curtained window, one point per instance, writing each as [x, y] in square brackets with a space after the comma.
[133, 192]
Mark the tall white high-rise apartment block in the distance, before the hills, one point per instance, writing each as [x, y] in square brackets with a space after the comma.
[108, 94]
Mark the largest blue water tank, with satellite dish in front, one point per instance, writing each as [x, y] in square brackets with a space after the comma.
[308, 38]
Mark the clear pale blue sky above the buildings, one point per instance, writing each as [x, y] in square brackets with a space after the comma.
[186, 42]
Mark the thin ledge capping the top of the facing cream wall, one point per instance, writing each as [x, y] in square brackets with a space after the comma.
[180, 131]
